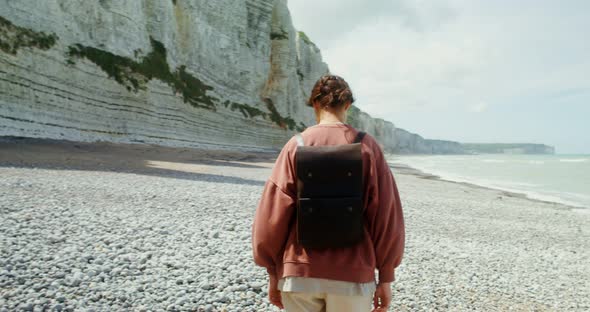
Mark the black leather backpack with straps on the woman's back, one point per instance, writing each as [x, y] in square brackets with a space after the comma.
[329, 194]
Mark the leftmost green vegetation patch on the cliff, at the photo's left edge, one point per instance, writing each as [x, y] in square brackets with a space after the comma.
[13, 37]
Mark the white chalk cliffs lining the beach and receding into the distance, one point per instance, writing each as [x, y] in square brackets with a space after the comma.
[231, 75]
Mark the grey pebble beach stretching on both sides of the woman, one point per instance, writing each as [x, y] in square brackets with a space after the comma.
[104, 227]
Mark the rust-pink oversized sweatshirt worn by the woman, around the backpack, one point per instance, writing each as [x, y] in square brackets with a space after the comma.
[274, 241]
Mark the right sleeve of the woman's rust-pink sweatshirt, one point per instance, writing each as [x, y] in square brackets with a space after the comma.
[385, 217]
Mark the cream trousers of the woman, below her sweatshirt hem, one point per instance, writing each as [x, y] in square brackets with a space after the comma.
[322, 302]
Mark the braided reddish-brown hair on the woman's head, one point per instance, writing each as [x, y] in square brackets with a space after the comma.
[331, 91]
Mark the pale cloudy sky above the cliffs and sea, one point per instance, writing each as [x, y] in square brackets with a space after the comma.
[463, 70]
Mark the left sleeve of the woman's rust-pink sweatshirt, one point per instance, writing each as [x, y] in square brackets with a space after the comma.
[274, 213]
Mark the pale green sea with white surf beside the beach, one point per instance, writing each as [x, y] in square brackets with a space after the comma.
[557, 178]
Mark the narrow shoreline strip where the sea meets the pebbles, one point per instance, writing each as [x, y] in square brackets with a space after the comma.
[407, 169]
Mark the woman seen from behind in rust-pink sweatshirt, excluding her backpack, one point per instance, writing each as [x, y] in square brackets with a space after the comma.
[334, 279]
